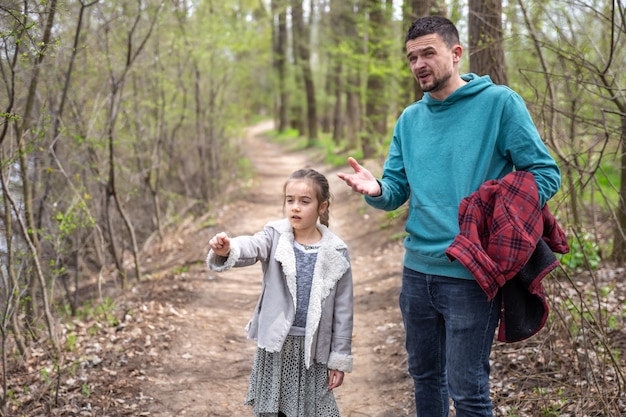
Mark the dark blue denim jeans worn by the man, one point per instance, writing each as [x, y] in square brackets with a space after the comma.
[450, 327]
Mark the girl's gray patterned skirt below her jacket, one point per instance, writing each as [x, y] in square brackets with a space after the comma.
[280, 383]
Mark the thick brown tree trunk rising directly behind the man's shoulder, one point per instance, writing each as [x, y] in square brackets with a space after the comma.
[485, 40]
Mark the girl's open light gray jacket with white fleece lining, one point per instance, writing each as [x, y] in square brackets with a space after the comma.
[328, 335]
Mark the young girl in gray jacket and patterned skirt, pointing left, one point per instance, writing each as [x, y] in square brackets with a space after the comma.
[303, 320]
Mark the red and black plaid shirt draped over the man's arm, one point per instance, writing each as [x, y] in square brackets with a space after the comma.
[501, 225]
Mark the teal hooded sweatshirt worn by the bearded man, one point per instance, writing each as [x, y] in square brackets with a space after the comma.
[442, 151]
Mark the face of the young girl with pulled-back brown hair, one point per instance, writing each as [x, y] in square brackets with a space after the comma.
[301, 206]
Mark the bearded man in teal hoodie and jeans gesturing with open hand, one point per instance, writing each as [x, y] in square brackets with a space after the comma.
[464, 132]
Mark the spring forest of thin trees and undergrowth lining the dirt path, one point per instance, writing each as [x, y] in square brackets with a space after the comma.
[120, 120]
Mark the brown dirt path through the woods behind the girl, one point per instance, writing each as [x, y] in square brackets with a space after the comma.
[202, 359]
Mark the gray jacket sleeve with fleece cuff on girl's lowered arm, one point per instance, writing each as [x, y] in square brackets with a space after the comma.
[341, 346]
